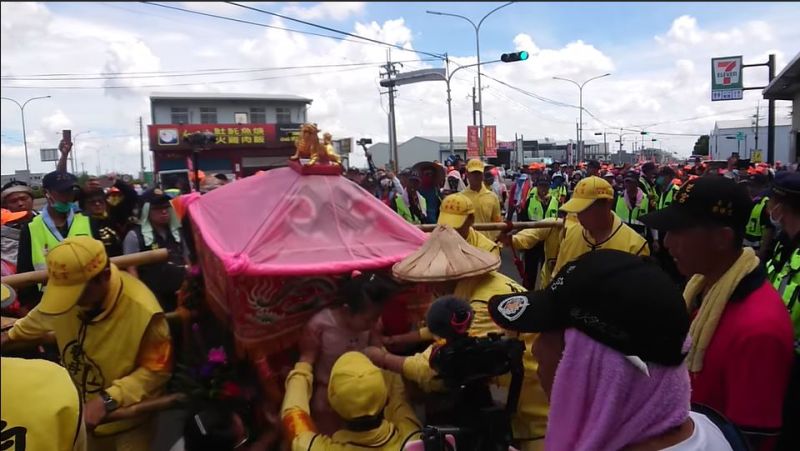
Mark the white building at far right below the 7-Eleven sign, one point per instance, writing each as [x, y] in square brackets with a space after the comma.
[729, 137]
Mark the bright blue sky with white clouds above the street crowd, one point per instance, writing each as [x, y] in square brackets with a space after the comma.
[658, 55]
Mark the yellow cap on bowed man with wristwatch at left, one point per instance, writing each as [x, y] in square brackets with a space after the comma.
[70, 265]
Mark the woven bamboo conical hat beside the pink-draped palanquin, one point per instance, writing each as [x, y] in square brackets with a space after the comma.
[445, 256]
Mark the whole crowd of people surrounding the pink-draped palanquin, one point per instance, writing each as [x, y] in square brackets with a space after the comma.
[658, 306]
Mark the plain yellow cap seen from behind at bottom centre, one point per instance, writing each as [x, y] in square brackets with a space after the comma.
[356, 387]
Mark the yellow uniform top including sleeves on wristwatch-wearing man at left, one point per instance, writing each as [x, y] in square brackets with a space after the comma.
[126, 350]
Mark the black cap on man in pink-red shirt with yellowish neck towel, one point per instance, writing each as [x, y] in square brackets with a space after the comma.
[709, 200]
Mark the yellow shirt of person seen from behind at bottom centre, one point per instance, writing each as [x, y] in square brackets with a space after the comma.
[399, 420]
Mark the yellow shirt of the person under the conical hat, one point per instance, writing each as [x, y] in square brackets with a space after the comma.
[531, 418]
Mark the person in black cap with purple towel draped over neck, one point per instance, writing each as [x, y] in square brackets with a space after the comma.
[612, 361]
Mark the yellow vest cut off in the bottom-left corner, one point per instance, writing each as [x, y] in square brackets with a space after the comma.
[41, 408]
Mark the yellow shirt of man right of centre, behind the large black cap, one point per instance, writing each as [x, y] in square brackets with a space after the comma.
[578, 242]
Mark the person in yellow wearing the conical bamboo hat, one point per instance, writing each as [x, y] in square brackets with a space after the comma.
[454, 267]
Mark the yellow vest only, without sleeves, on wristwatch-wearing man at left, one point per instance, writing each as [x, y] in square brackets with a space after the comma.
[111, 342]
